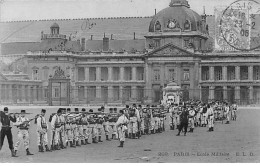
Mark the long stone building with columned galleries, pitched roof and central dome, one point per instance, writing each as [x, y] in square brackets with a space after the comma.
[123, 60]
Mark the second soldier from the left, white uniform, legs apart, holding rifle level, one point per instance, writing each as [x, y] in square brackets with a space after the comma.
[22, 124]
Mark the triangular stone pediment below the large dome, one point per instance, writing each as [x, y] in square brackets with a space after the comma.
[170, 50]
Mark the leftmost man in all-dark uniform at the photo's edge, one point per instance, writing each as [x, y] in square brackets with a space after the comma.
[5, 119]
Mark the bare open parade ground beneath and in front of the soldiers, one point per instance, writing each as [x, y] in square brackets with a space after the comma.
[235, 142]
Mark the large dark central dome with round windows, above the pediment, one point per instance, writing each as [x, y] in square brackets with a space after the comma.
[178, 15]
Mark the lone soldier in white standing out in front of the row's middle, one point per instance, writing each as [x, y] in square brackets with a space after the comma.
[121, 127]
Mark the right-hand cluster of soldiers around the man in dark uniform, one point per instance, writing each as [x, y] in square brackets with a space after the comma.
[198, 114]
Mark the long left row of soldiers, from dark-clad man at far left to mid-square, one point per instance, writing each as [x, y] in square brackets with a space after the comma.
[76, 128]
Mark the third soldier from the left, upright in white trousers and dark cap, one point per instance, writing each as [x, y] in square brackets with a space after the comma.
[42, 128]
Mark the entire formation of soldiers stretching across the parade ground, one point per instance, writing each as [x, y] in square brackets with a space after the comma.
[72, 129]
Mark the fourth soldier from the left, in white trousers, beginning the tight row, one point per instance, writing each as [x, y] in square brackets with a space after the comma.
[56, 130]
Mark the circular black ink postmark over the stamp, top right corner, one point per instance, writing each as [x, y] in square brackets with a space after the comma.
[240, 25]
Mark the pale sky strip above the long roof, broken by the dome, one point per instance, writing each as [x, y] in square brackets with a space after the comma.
[17, 10]
